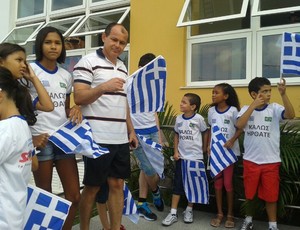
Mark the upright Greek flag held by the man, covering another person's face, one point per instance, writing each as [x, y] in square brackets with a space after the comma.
[146, 87]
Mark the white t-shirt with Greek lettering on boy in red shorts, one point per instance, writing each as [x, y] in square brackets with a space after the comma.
[262, 134]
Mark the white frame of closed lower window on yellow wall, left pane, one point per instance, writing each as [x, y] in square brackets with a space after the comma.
[213, 38]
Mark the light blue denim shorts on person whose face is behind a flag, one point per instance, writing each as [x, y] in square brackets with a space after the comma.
[144, 163]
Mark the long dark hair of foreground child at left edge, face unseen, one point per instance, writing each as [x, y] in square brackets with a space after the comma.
[19, 94]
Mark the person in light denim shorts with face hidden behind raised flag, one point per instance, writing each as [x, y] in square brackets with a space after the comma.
[147, 125]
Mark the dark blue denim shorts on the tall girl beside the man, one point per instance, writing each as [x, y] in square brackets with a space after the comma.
[52, 152]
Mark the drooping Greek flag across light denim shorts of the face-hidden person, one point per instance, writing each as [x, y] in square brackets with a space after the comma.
[153, 153]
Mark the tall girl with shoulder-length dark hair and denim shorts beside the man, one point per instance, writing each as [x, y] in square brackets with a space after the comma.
[50, 50]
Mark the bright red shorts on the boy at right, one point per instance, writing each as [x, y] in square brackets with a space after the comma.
[263, 179]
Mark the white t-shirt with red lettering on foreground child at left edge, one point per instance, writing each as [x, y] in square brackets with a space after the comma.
[15, 171]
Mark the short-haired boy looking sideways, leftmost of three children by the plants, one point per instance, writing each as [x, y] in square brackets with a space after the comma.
[190, 134]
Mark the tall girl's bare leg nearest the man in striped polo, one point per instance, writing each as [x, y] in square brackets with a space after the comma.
[68, 174]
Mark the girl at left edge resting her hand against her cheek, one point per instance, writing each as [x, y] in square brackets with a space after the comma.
[13, 57]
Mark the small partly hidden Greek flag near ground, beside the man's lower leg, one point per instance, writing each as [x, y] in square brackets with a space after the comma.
[130, 209]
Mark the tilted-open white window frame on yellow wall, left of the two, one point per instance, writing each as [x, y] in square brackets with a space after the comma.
[185, 8]
